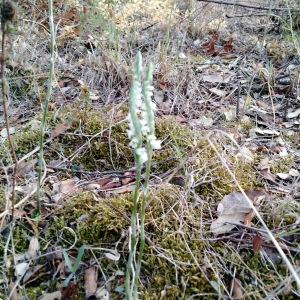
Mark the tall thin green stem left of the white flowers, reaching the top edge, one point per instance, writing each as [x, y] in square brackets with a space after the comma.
[46, 104]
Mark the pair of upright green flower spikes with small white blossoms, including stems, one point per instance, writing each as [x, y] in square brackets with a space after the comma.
[143, 141]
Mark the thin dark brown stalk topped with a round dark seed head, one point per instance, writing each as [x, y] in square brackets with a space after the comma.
[7, 14]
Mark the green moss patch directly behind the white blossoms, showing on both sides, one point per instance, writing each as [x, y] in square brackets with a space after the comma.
[111, 148]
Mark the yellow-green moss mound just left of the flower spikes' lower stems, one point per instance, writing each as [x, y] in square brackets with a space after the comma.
[92, 222]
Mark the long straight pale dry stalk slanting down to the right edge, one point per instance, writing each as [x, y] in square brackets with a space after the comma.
[271, 236]
